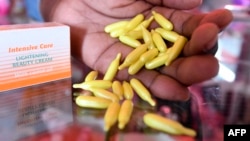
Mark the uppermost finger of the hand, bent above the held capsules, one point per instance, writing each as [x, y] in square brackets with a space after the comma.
[185, 23]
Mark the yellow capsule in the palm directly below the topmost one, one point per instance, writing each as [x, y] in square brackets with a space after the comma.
[168, 35]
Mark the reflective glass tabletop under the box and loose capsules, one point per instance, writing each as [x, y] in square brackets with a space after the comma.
[48, 112]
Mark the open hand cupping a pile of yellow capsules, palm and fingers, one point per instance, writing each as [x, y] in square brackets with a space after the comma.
[90, 44]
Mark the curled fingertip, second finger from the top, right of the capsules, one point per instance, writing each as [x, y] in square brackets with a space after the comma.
[202, 40]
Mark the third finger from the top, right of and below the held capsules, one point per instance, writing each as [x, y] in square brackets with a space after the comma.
[192, 70]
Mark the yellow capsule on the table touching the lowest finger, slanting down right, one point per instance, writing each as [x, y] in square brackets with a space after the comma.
[142, 91]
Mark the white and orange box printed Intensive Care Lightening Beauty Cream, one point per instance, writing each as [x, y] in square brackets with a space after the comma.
[31, 54]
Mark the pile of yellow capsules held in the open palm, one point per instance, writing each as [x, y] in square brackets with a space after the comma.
[152, 48]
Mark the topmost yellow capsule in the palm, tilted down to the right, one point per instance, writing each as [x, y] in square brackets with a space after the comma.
[162, 21]
